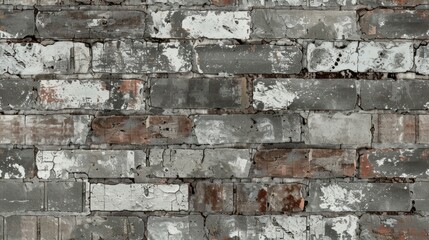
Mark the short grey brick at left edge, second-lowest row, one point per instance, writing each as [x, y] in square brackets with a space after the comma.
[16, 196]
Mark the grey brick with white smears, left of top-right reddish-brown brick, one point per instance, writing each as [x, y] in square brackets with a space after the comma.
[282, 23]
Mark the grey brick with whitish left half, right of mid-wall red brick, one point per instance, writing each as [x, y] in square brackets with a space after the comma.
[260, 128]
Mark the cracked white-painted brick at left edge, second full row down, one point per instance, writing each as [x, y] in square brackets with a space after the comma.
[34, 58]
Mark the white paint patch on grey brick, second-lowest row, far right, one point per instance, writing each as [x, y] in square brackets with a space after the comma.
[336, 198]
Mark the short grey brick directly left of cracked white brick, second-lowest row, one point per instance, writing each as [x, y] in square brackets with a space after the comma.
[65, 196]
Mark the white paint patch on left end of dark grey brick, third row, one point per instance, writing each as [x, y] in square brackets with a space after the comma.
[273, 96]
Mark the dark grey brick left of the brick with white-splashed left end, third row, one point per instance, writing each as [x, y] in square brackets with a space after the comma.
[198, 93]
